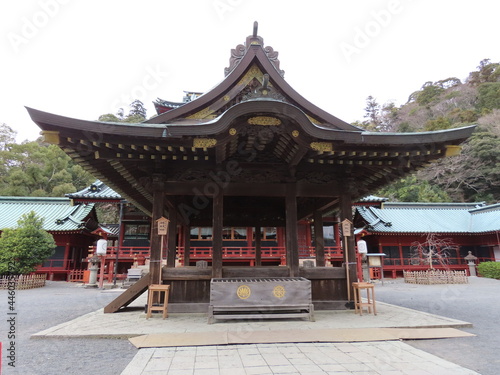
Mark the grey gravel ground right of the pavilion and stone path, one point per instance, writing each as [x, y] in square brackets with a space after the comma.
[477, 302]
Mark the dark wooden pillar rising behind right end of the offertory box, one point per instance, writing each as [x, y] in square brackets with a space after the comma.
[292, 248]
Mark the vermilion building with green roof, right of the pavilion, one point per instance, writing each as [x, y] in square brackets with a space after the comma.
[397, 229]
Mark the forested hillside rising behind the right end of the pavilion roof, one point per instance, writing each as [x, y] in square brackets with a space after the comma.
[474, 175]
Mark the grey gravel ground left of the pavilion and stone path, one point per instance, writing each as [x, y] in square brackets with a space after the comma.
[42, 308]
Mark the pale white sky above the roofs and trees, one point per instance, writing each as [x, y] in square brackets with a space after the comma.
[84, 58]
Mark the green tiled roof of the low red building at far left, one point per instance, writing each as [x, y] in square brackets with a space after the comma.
[58, 213]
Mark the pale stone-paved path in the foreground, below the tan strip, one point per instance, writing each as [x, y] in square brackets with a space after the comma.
[382, 358]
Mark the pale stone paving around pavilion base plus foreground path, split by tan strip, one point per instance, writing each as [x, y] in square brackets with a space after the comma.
[387, 358]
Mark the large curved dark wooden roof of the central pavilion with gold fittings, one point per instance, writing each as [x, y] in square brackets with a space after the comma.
[253, 120]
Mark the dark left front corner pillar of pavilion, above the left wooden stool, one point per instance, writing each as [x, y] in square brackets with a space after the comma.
[155, 252]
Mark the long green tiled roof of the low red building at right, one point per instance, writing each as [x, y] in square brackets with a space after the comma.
[432, 218]
